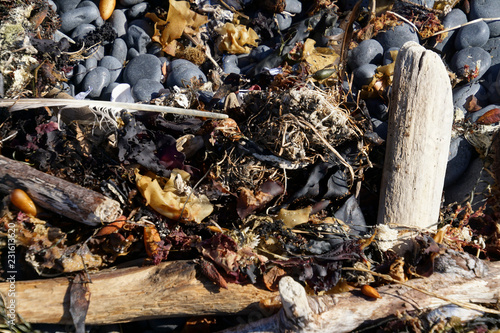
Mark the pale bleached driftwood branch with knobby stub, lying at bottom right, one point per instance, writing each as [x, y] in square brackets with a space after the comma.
[464, 279]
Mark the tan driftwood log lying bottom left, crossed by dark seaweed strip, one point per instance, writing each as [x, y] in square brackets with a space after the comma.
[170, 289]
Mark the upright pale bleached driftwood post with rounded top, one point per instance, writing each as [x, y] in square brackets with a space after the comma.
[418, 140]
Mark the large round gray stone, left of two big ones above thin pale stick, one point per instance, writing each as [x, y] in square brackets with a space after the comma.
[144, 66]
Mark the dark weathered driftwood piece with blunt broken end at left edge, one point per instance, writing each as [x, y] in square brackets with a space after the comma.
[57, 195]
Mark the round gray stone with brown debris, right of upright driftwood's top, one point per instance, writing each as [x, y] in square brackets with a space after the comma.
[466, 61]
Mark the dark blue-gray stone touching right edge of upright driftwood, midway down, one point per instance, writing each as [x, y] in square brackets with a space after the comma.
[459, 158]
